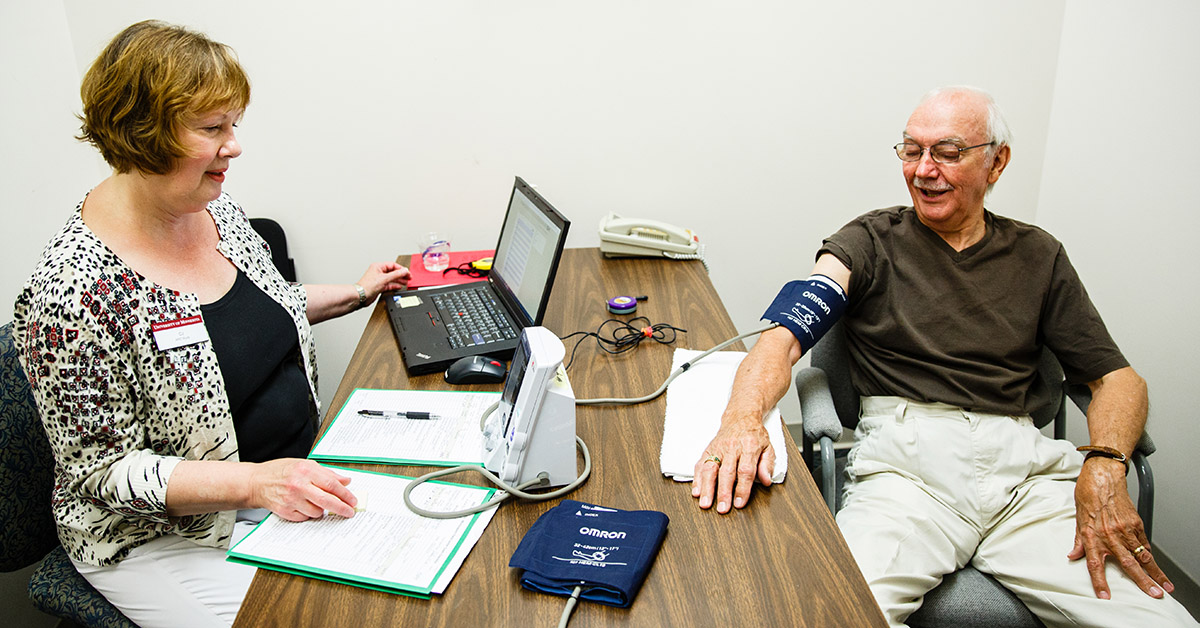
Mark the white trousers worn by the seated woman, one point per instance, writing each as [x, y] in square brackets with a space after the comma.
[175, 583]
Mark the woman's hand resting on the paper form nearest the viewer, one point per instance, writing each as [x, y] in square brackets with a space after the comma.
[298, 491]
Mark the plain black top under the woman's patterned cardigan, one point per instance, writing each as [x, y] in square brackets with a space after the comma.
[259, 351]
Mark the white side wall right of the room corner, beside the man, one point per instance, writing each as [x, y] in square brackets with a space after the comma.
[1119, 192]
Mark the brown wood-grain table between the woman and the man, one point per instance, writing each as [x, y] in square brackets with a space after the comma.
[779, 563]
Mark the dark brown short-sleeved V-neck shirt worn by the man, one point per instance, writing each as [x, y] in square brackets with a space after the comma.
[967, 328]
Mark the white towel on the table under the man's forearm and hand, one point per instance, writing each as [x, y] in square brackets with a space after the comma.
[695, 404]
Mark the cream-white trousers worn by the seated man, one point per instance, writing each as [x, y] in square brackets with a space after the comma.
[932, 488]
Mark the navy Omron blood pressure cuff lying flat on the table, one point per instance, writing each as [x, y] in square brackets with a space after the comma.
[605, 552]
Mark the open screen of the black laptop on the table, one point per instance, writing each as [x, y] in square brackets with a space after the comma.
[529, 250]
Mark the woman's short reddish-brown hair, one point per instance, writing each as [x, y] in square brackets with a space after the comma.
[142, 88]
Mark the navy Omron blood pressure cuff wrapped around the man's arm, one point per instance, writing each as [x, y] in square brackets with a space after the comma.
[808, 309]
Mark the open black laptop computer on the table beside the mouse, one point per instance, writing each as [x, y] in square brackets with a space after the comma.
[439, 326]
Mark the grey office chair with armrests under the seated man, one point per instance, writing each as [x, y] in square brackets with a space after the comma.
[967, 599]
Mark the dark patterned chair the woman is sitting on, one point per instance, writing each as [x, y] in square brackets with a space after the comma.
[27, 525]
